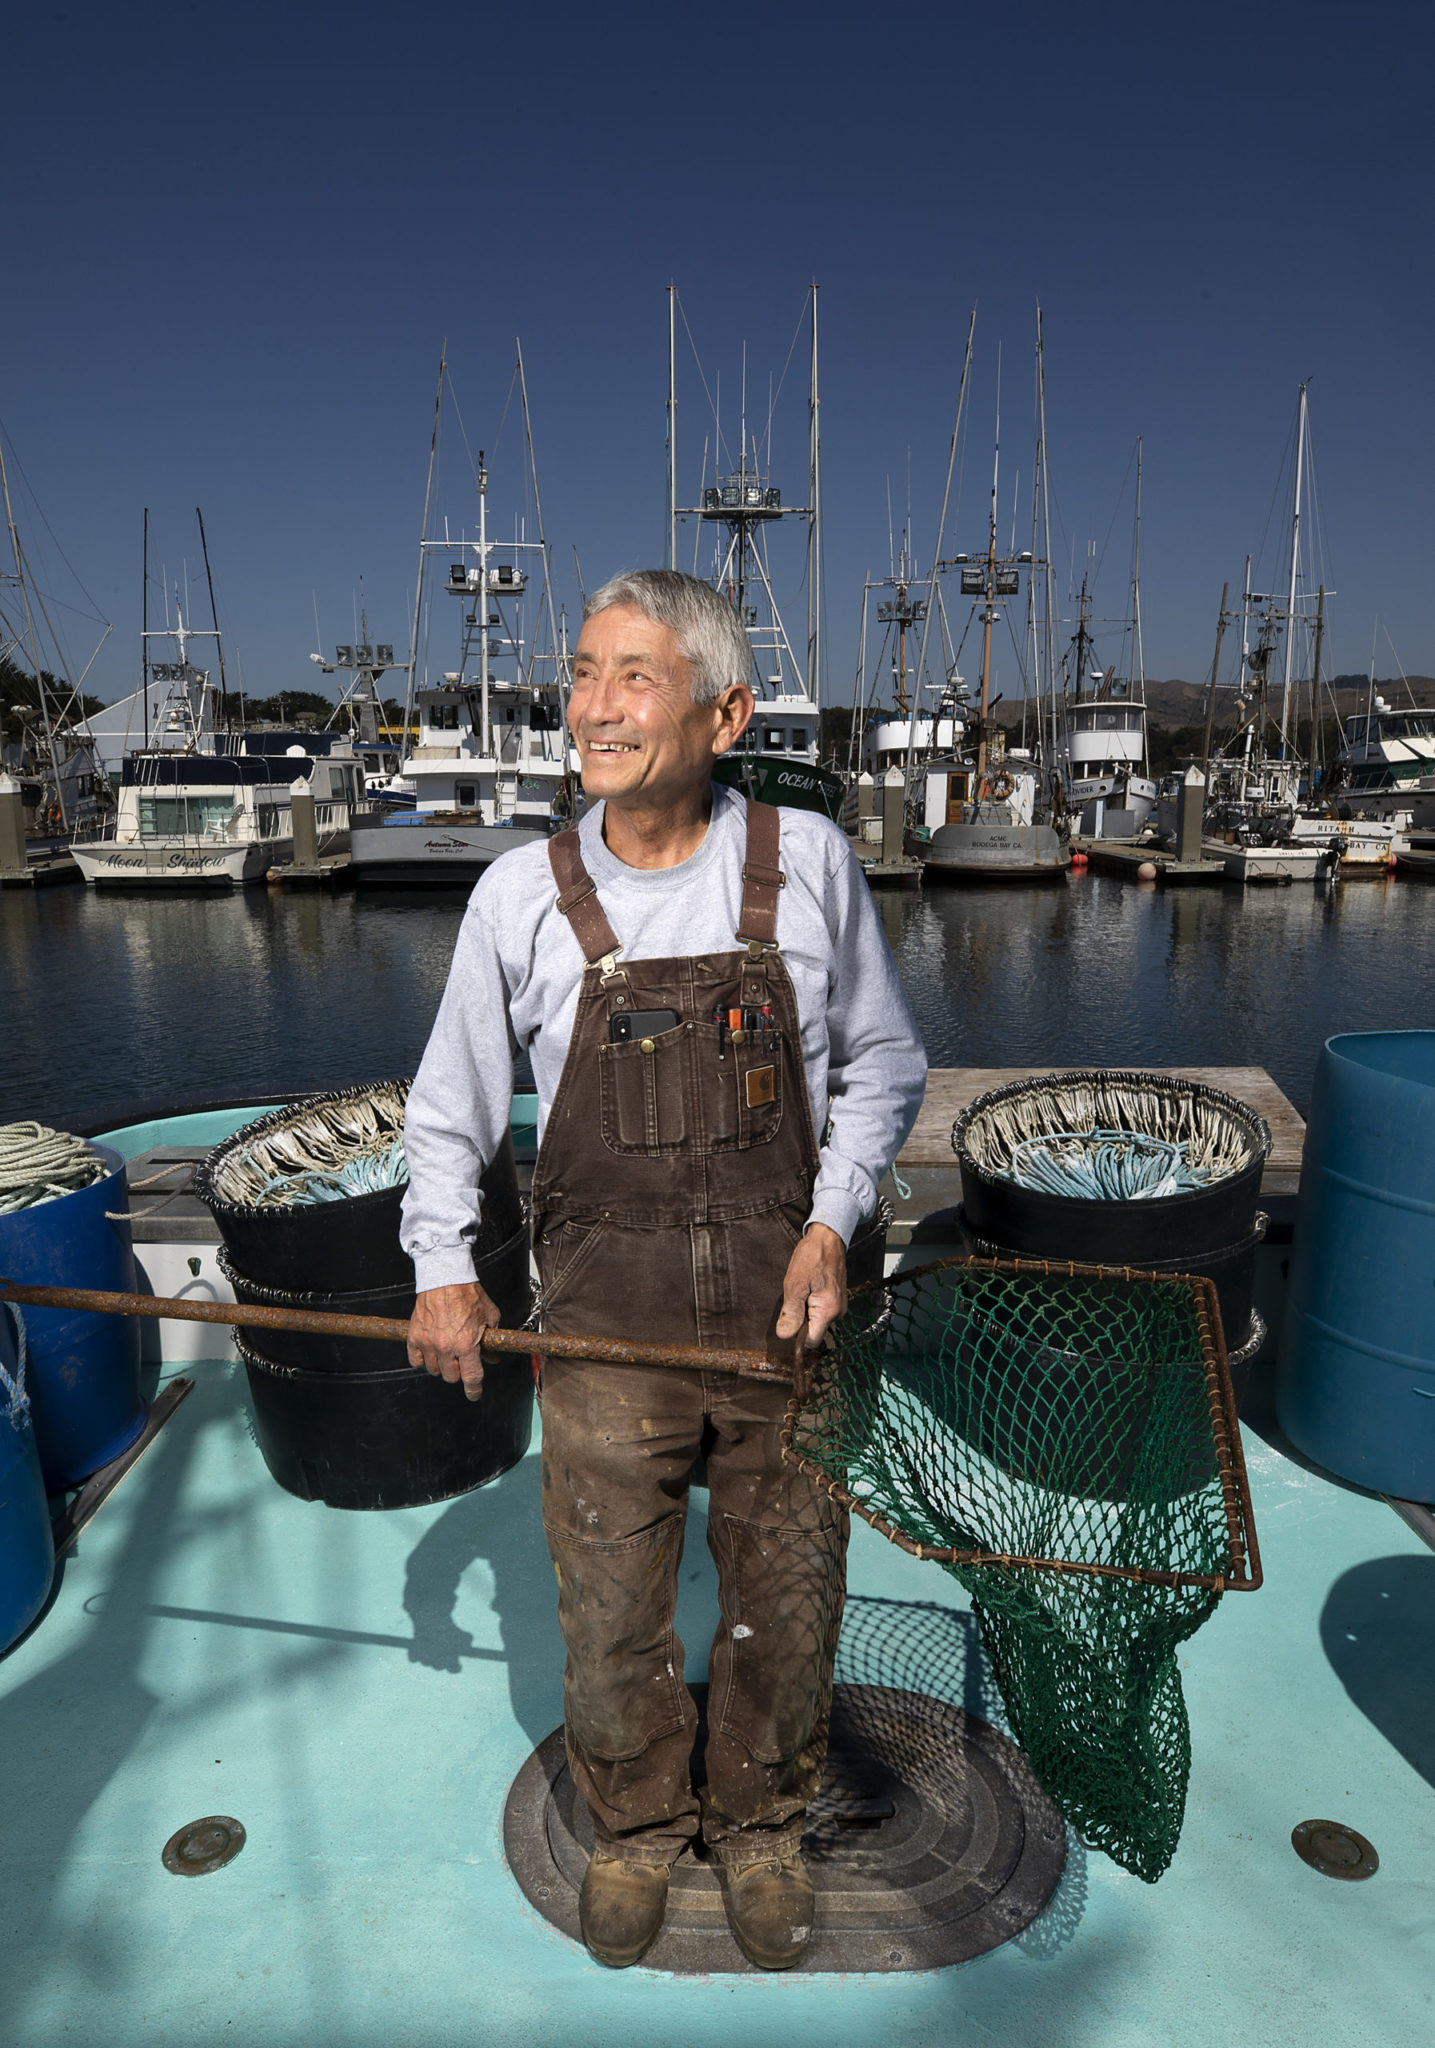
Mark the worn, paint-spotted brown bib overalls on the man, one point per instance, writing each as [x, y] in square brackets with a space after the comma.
[666, 1203]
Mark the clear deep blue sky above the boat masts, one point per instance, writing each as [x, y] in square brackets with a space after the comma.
[238, 239]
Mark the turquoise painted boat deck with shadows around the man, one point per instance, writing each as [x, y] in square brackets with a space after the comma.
[361, 1691]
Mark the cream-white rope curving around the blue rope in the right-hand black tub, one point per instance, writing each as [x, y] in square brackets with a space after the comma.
[1211, 1140]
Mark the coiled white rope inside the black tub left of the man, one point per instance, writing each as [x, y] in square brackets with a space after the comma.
[327, 1154]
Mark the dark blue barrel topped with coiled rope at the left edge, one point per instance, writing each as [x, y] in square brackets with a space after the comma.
[85, 1369]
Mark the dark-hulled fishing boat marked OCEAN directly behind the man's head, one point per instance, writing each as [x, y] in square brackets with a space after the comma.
[779, 757]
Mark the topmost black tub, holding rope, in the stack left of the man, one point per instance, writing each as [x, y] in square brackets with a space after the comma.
[349, 1246]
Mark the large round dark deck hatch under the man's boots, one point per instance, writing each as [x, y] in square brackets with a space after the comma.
[928, 1844]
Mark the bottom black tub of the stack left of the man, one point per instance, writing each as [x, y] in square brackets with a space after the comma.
[390, 1439]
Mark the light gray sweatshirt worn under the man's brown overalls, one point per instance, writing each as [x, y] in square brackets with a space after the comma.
[515, 984]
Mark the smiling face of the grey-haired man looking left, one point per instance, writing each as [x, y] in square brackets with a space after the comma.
[640, 736]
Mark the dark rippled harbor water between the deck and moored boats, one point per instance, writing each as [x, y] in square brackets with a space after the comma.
[110, 1000]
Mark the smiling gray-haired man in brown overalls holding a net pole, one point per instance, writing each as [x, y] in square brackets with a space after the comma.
[726, 1068]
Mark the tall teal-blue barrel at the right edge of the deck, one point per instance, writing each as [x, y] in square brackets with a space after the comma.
[1358, 1353]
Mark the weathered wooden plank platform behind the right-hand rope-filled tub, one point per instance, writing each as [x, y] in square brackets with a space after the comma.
[928, 1168]
